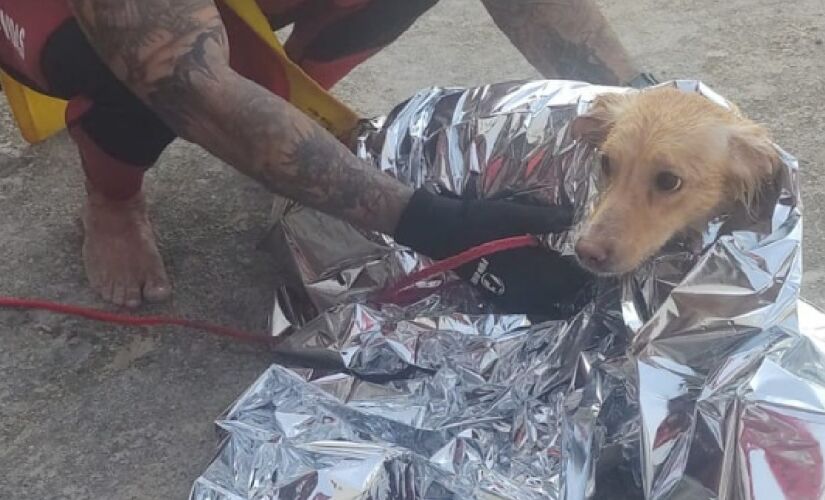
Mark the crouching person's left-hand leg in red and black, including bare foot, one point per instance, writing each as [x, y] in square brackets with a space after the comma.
[117, 139]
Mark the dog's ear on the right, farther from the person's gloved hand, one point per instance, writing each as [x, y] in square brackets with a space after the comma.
[753, 161]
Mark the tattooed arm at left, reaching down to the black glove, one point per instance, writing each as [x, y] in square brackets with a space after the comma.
[174, 55]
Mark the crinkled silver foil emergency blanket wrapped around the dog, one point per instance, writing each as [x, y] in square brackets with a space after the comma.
[700, 376]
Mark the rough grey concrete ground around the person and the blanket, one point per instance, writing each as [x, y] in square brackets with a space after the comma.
[92, 411]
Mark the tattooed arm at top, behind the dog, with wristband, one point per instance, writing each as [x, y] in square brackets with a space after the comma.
[564, 39]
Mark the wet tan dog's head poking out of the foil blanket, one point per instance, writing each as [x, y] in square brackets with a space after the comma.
[671, 161]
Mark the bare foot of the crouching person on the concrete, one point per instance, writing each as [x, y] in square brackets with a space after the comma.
[119, 250]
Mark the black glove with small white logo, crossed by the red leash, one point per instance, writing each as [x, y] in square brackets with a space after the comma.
[526, 280]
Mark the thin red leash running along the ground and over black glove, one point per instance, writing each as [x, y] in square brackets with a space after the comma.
[389, 295]
